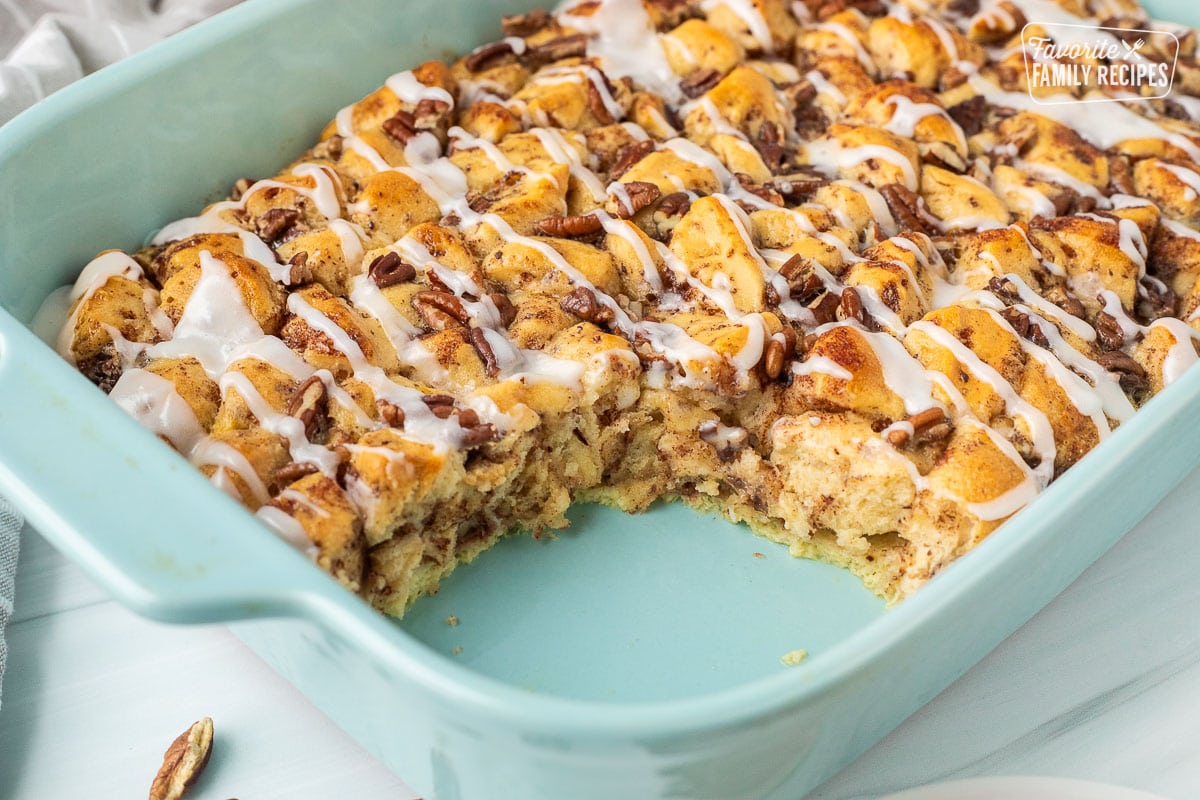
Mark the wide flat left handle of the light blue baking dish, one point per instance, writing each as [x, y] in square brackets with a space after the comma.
[185, 554]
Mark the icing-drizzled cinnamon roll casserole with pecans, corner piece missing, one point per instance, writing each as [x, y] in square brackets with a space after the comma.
[825, 268]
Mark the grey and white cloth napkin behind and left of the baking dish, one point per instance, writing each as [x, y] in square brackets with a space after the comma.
[45, 45]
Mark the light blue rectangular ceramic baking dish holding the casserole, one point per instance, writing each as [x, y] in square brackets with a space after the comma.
[629, 658]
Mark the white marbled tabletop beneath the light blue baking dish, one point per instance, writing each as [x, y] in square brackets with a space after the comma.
[1103, 685]
